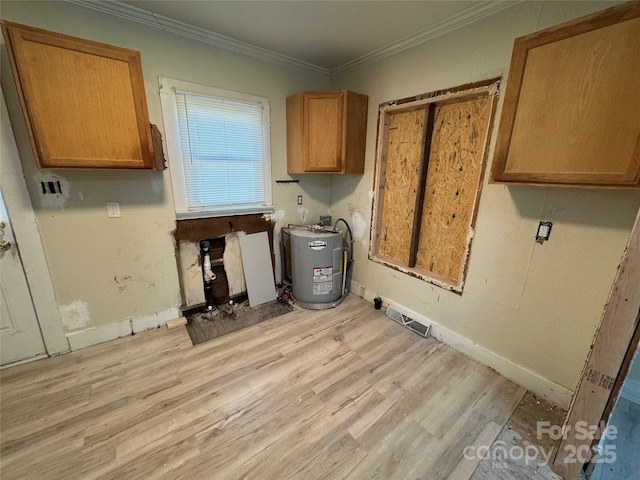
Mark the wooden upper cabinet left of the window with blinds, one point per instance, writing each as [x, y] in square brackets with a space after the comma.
[83, 102]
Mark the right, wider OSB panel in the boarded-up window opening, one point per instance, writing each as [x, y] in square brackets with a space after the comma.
[455, 165]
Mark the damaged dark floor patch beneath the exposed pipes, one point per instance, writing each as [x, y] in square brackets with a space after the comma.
[203, 326]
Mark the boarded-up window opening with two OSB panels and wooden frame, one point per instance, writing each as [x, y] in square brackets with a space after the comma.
[429, 168]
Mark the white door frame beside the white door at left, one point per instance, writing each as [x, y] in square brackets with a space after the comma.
[25, 229]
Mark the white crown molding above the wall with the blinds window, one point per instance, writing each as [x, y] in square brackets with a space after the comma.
[145, 17]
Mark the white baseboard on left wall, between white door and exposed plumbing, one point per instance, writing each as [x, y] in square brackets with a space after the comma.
[95, 335]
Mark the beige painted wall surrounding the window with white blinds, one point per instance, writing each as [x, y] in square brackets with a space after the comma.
[107, 270]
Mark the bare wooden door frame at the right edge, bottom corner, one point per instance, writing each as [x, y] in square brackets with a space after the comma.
[605, 368]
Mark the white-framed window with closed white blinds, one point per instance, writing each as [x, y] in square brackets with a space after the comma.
[218, 149]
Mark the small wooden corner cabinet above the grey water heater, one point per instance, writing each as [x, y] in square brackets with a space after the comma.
[326, 132]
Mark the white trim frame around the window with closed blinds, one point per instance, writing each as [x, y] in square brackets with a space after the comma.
[168, 89]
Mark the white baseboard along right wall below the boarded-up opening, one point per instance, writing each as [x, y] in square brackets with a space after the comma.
[534, 382]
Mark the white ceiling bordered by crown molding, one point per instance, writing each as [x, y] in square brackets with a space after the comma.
[328, 36]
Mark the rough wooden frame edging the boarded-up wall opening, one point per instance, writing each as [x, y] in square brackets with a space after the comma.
[487, 88]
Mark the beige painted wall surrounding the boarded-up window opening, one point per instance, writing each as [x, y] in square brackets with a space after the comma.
[537, 305]
